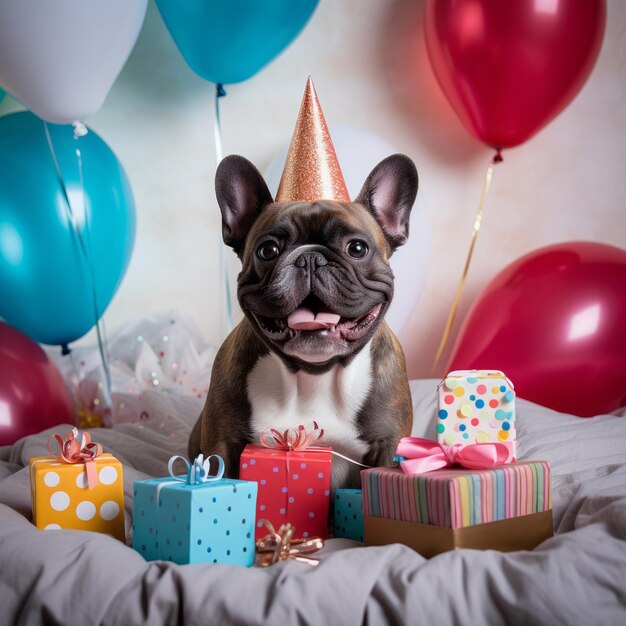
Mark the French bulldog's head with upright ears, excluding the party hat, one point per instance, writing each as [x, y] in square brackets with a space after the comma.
[315, 281]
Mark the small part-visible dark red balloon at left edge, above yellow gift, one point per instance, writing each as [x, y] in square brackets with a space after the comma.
[33, 395]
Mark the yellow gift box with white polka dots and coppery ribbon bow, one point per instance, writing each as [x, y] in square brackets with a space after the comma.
[80, 488]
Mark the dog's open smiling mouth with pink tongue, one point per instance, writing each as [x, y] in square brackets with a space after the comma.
[311, 318]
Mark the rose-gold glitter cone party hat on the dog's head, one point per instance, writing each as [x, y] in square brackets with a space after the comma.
[312, 170]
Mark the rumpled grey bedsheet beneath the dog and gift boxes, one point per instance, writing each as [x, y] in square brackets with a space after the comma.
[576, 577]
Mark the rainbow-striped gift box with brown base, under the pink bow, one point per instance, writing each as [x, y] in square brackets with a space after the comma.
[508, 507]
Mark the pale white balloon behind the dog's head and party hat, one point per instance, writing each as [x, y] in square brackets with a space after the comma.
[359, 151]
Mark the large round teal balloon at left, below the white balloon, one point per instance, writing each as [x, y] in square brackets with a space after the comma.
[46, 286]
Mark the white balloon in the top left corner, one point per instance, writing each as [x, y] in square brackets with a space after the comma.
[60, 58]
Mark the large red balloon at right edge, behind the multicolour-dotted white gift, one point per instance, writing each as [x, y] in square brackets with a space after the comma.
[553, 321]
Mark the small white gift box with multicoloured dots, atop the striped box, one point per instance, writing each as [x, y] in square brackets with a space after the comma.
[476, 406]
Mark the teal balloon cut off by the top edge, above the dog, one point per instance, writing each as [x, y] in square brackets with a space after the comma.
[228, 41]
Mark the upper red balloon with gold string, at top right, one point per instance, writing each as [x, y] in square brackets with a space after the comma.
[509, 67]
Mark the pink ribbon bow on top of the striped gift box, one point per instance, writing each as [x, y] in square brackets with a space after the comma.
[423, 455]
